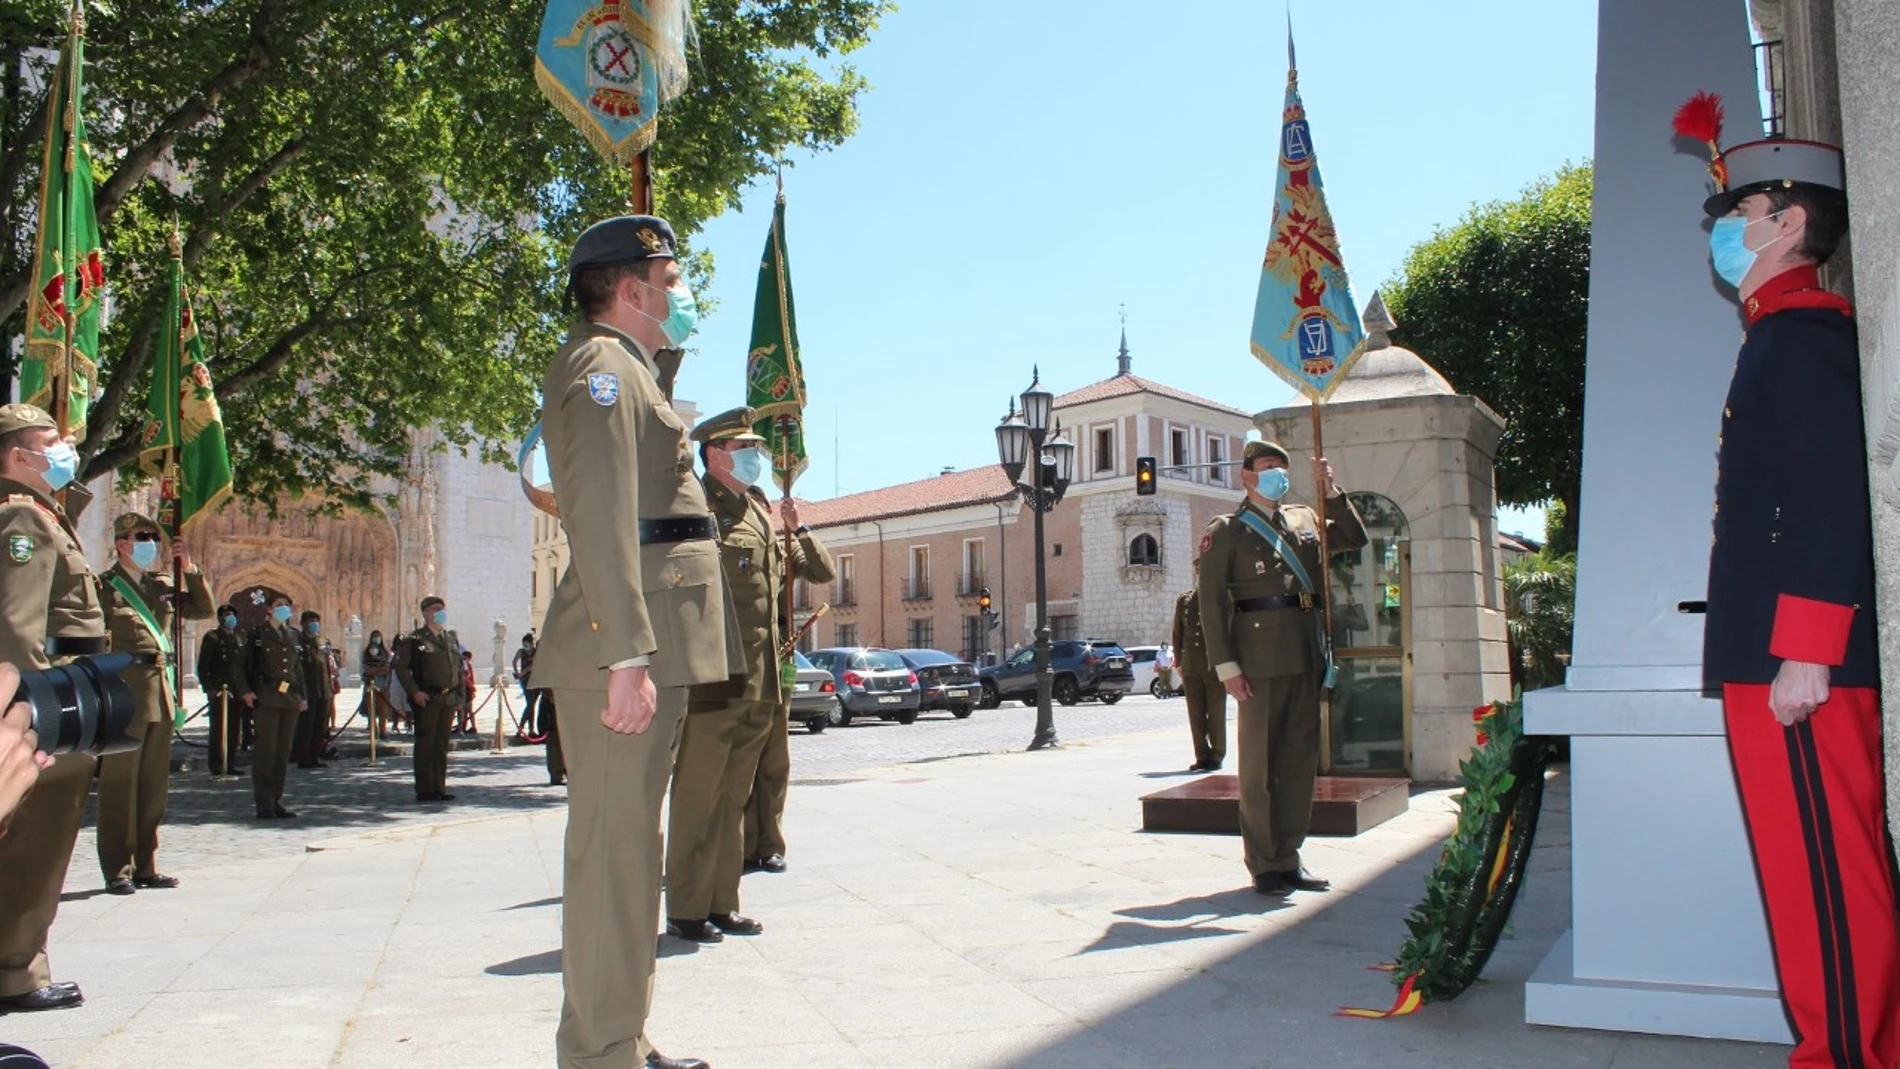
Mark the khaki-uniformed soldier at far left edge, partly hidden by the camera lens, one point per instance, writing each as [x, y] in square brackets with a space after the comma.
[48, 616]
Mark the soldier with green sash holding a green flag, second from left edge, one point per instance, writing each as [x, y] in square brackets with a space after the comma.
[140, 603]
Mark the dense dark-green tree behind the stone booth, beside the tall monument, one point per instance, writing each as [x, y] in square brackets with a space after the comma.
[1500, 305]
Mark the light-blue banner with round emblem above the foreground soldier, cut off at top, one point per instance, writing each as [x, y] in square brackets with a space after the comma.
[609, 66]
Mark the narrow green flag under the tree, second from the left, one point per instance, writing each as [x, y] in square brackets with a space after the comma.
[183, 422]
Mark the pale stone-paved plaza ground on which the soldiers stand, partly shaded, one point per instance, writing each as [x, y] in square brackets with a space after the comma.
[993, 910]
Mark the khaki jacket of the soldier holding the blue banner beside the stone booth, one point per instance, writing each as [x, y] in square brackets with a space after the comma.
[1238, 565]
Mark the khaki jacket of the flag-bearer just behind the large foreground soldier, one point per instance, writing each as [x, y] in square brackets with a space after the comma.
[757, 576]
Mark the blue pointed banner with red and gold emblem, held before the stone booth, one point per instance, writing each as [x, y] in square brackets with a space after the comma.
[1306, 326]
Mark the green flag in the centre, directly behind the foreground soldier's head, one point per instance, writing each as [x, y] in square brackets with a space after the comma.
[774, 383]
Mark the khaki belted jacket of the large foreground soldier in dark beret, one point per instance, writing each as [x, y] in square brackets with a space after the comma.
[618, 455]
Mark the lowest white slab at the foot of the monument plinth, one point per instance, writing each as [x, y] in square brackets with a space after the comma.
[1557, 996]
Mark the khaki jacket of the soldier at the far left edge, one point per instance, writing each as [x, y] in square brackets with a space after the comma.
[47, 586]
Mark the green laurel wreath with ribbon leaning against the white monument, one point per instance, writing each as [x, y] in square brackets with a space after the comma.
[1470, 893]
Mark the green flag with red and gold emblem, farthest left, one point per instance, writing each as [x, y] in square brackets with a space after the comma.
[69, 259]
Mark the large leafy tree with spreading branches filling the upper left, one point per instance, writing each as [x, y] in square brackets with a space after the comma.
[375, 202]
